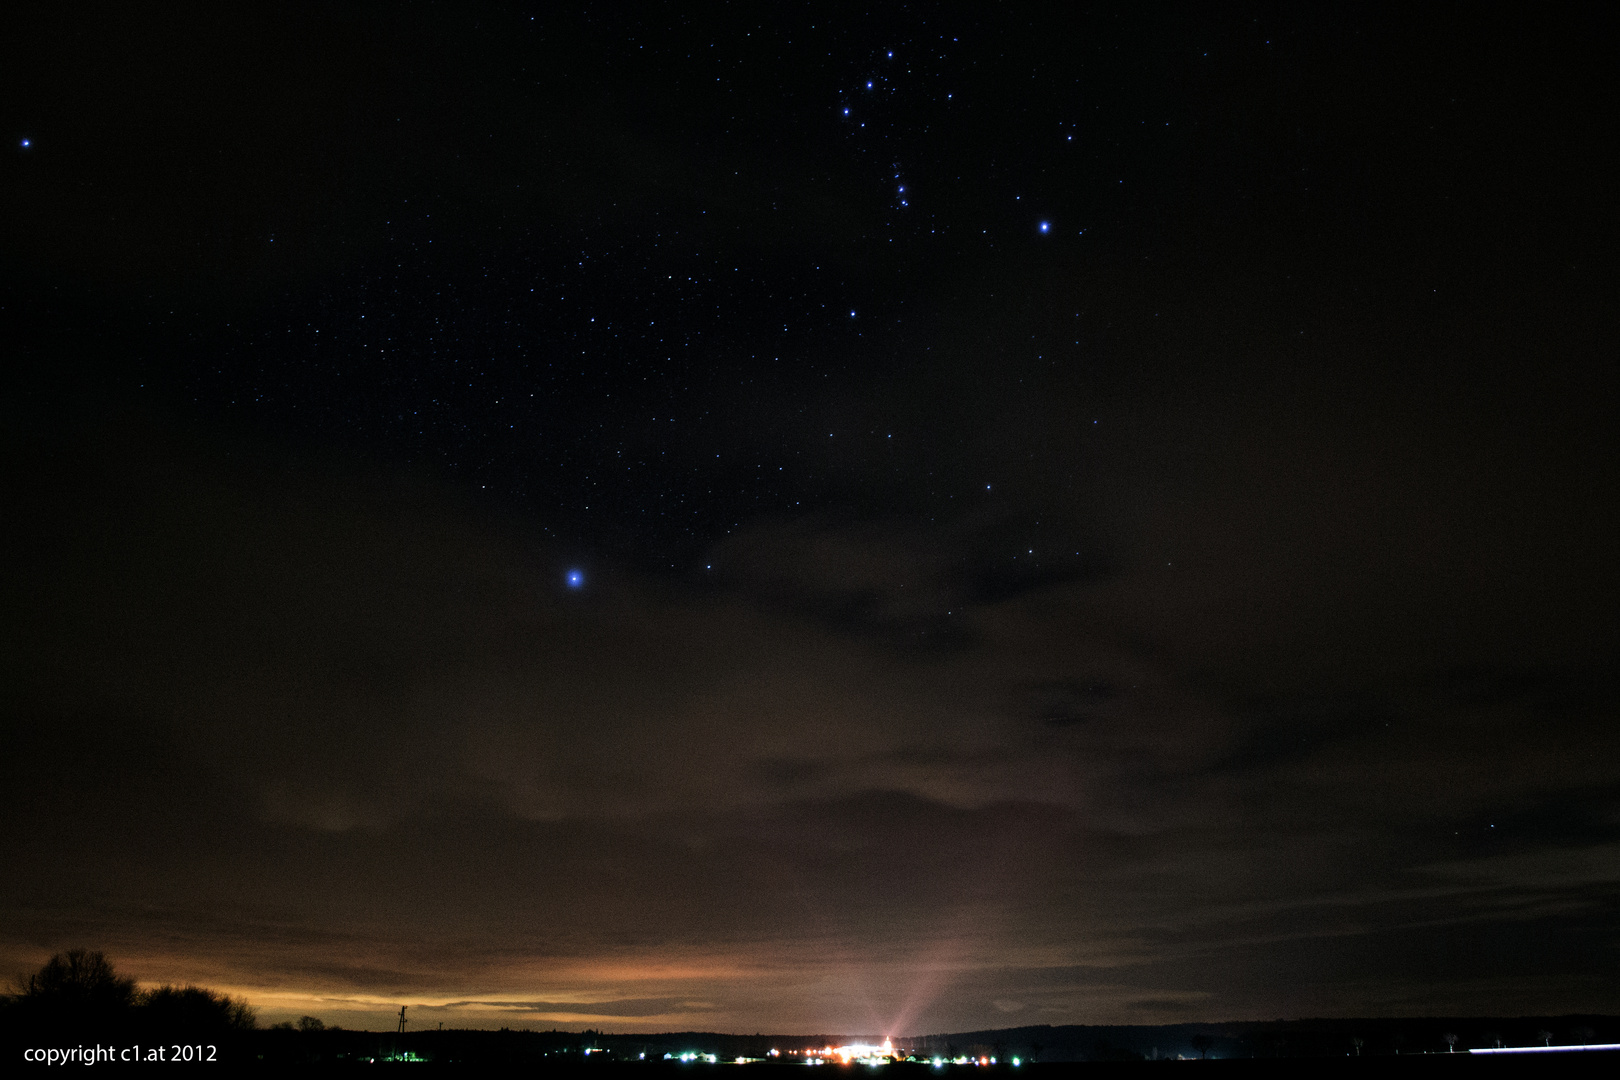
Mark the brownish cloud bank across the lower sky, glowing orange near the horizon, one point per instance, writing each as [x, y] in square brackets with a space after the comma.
[347, 705]
